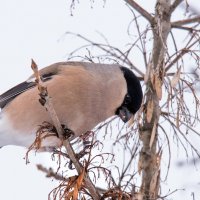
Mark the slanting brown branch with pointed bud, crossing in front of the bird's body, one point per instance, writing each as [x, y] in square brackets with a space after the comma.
[46, 102]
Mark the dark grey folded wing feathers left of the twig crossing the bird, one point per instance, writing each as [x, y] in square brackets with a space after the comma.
[9, 95]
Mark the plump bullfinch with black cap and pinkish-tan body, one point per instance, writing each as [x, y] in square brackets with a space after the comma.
[83, 95]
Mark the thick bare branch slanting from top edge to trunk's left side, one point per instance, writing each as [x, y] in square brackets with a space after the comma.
[141, 10]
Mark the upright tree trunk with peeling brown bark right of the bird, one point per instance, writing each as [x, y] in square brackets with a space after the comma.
[149, 155]
